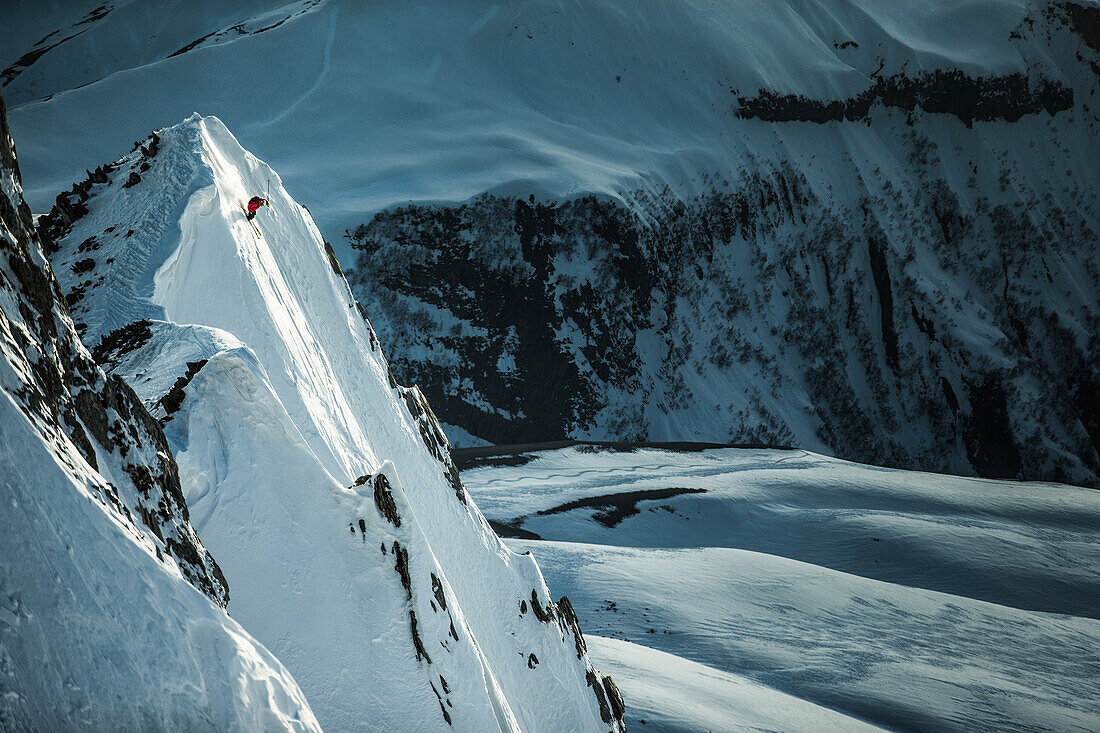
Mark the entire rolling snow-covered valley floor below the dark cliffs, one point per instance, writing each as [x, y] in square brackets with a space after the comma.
[912, 601]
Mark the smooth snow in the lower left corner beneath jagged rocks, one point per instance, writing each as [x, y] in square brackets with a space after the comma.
[97, 633]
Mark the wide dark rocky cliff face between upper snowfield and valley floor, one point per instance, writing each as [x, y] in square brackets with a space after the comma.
[540, 357]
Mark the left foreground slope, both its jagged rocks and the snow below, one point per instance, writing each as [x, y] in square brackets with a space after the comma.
[104, 622]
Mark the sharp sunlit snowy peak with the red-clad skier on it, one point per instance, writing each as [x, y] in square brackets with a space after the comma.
[353, 548]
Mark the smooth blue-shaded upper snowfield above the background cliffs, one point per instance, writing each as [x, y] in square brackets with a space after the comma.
[389, 103]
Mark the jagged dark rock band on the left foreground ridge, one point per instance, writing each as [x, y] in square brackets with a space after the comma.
[68, 397]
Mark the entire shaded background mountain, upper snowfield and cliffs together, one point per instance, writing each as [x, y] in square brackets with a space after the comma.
[860, 227]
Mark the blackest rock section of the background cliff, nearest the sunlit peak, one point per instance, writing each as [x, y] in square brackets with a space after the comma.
[516, 300]
